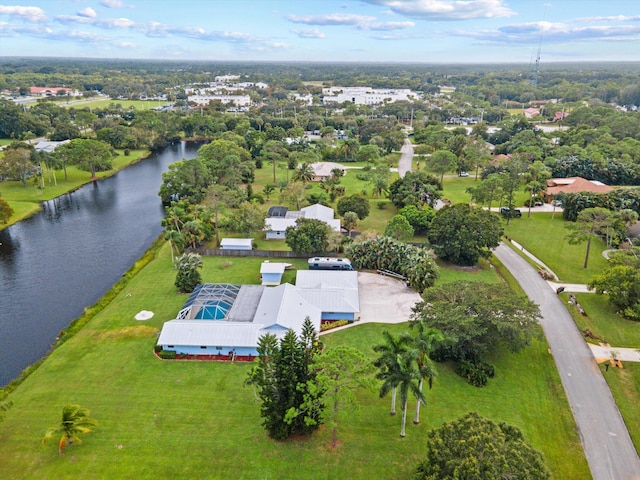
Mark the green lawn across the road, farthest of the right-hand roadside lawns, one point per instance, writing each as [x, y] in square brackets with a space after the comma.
[545, 237]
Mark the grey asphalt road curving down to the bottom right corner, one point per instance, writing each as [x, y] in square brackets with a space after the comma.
[605, 438]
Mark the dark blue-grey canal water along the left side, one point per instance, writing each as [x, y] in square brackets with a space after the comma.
[63, 259]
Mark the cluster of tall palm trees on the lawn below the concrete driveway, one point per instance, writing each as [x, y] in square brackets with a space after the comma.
[404, 363]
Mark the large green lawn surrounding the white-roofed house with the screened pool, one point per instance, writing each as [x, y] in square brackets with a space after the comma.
[154, 414]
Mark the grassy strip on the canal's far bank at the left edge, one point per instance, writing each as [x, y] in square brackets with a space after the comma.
[25, 201]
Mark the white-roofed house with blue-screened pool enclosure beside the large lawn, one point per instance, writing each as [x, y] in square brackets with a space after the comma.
[225, 322]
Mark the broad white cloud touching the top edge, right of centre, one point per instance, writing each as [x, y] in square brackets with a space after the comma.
[447, 9]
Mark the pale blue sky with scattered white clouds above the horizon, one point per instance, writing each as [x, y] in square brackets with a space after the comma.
[442, 31]
